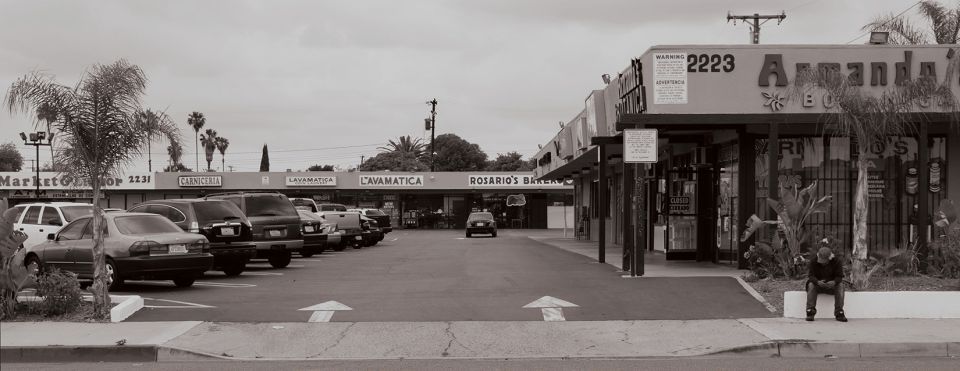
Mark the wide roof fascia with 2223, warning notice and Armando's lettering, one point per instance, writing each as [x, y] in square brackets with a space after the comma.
[740, 79]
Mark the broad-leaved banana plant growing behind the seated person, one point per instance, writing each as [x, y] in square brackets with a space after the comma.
[794, 208]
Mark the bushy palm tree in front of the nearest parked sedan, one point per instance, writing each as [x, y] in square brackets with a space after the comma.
[99, 133]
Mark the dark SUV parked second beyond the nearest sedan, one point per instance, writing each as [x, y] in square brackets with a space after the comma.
[275, 223]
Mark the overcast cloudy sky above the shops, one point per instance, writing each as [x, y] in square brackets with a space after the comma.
[311, 75]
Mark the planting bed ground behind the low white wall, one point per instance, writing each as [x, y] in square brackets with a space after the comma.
[772, 289]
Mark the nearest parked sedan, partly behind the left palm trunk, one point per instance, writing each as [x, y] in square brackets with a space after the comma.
[136, 245]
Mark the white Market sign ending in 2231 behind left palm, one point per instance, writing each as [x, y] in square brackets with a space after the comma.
[54, 180]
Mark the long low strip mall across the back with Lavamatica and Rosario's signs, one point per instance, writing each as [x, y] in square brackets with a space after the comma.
[414, 200]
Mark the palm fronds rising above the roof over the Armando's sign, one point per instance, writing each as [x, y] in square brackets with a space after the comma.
[944, 22]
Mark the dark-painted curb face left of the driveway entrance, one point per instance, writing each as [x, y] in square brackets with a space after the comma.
[57, 354]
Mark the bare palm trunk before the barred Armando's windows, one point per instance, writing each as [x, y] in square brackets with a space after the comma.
[859, 269]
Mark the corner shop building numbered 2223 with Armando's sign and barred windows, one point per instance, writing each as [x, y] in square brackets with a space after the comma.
[716, 110]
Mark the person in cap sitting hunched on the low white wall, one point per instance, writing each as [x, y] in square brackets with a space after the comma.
[825, 276]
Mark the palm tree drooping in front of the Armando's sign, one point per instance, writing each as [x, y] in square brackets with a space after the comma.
[872, 119]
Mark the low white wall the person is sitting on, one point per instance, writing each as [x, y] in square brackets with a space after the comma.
[877, 304]
